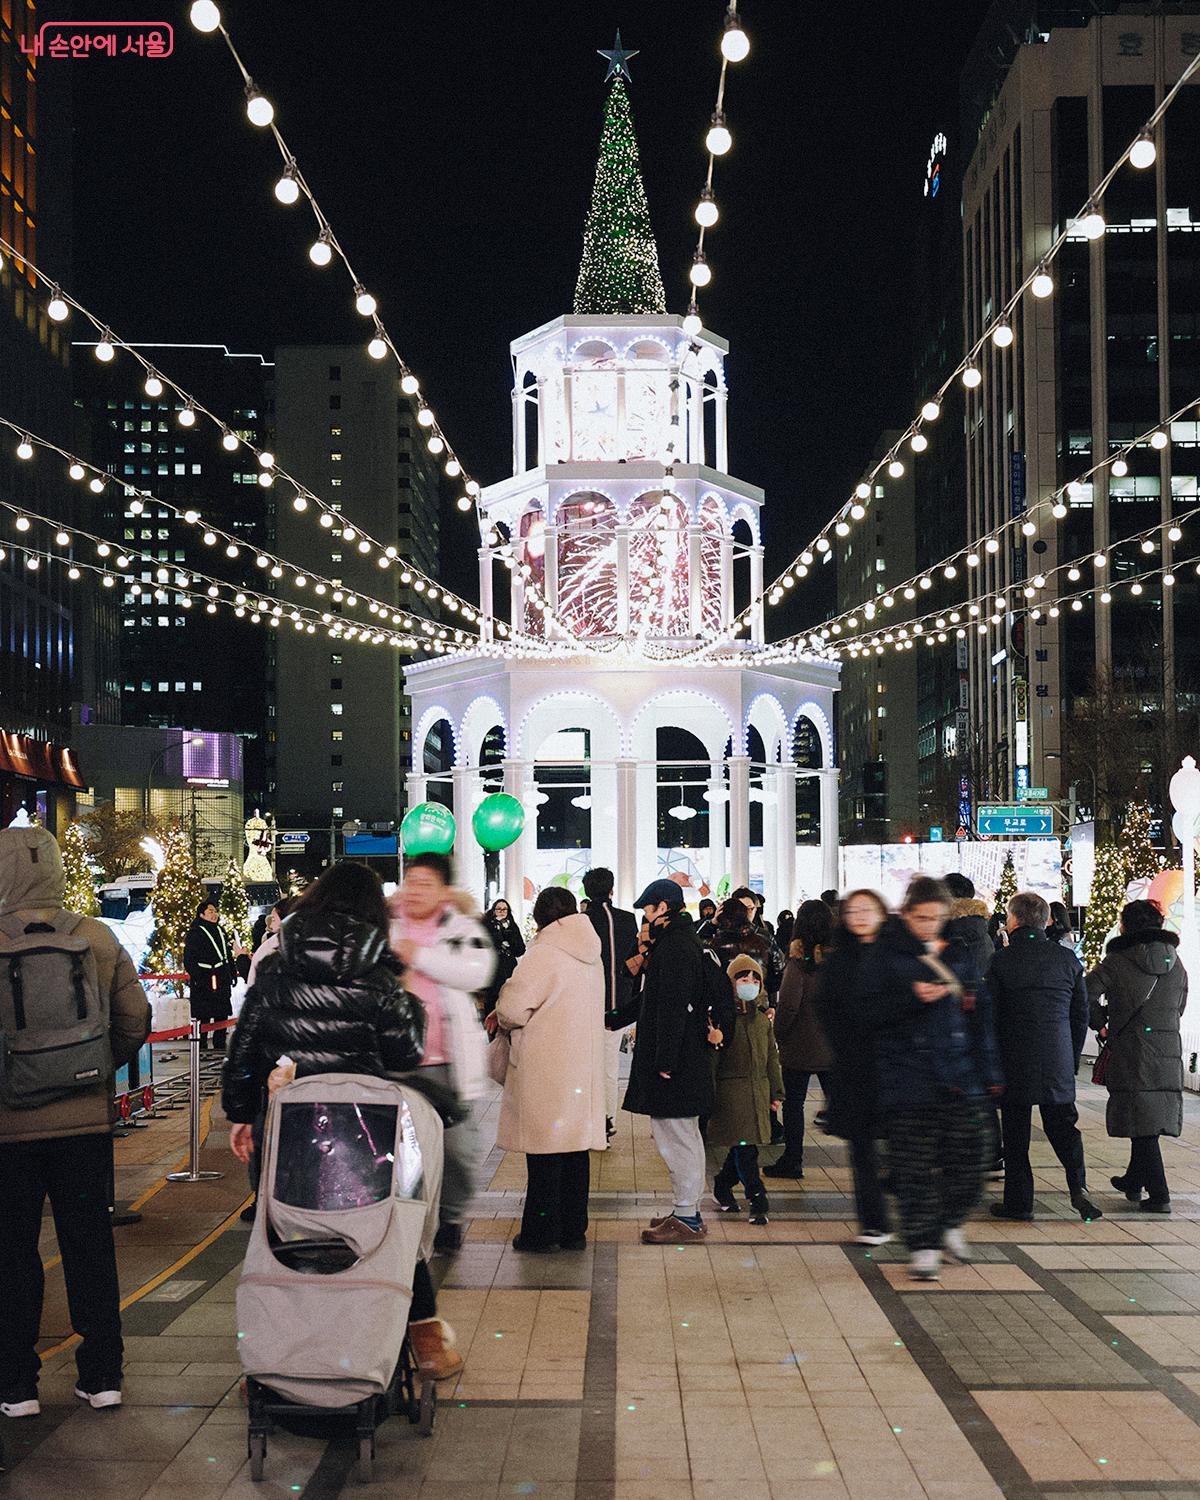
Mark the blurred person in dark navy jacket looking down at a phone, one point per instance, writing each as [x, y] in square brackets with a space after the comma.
[938, 1061]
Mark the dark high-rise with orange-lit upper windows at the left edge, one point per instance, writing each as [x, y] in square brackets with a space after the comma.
[47, 638]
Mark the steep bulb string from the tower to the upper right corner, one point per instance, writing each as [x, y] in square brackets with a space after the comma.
[1000, 332]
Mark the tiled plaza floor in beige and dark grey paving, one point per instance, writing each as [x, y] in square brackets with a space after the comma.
[772, 1364]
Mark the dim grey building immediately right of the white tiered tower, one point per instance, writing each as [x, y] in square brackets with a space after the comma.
[877, 709]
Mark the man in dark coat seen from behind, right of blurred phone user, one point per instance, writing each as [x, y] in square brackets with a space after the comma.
[1042, 1022]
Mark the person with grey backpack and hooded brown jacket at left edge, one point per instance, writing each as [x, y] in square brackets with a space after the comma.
[71, 1012]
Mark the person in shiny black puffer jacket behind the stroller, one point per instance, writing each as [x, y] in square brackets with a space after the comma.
[332, 1003]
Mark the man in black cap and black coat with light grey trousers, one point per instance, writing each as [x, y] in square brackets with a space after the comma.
[671, 1076]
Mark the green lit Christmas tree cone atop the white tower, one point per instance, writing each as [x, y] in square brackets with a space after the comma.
[620, 266]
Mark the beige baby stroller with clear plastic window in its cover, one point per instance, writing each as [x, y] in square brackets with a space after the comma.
[349, 1199]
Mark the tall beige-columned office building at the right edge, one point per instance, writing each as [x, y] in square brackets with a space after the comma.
[1108, 358]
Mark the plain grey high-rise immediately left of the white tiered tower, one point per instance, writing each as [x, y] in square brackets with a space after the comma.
[344, 430]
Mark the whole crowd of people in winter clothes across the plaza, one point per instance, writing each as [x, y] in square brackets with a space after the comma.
[932, 1034]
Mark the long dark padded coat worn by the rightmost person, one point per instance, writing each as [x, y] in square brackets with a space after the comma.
[1147, 1063]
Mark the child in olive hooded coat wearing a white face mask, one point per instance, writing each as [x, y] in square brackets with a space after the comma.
[749, 1088]
